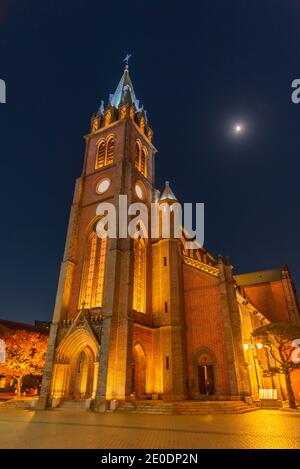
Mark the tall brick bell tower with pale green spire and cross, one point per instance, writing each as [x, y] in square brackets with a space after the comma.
[97, 289]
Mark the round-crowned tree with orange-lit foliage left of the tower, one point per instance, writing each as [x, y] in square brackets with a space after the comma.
[25, 355]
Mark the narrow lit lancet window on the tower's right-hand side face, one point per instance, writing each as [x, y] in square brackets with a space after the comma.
[140, 275]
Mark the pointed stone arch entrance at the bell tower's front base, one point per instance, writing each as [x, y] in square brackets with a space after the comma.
[76, 366]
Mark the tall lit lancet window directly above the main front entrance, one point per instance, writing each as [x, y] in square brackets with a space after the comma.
[93, 272]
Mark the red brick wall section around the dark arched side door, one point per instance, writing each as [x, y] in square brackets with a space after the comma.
[204, 322]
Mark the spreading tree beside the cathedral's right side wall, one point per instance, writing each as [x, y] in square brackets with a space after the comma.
[278, 337]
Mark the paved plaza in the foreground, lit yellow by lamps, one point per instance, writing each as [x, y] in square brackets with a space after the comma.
[67, 429]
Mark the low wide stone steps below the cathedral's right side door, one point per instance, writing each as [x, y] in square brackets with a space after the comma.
[185, 407]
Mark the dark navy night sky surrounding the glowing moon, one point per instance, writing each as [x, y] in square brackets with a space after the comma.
[198, 67]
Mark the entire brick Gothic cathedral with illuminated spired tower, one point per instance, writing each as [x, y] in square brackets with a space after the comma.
[150, 319]
